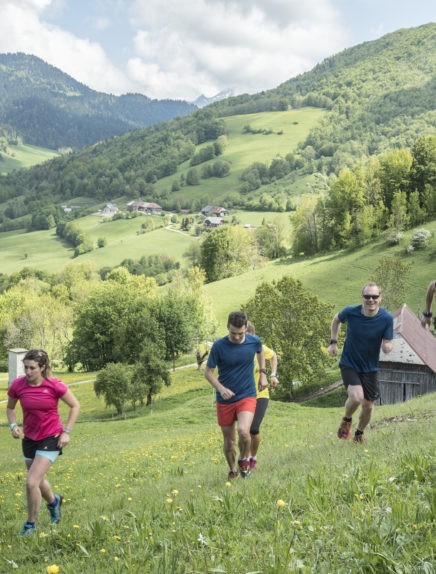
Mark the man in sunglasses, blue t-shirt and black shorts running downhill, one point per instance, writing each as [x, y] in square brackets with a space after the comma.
[369, 327]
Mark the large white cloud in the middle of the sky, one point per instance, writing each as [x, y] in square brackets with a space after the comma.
[209, 45]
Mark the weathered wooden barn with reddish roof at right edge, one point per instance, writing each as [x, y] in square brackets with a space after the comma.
[410, 369]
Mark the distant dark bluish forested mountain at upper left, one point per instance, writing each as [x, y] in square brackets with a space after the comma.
[48, 108]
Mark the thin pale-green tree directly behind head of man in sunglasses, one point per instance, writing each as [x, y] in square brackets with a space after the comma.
[392, 274]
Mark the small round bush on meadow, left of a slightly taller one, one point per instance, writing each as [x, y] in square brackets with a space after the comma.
[113, 383]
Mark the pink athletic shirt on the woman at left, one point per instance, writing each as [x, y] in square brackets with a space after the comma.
[40, 406]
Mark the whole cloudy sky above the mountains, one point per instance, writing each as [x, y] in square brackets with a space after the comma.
[181, 50]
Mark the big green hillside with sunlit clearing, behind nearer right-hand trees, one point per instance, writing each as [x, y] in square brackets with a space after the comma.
[371, 98]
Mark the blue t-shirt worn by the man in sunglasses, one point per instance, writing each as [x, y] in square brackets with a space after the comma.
[364, 336]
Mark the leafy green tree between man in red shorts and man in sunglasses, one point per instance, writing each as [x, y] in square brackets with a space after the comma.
[296, 325]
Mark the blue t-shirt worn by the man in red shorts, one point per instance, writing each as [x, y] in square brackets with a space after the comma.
[235, 366]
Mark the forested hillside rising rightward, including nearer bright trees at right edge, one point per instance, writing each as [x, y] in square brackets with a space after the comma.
[374, 99]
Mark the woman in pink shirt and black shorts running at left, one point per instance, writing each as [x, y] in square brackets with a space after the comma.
[44, 436]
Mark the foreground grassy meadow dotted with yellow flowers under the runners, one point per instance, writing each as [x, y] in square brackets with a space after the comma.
[148, 492]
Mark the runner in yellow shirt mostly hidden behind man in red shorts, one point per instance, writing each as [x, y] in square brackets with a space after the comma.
[262, 399]
